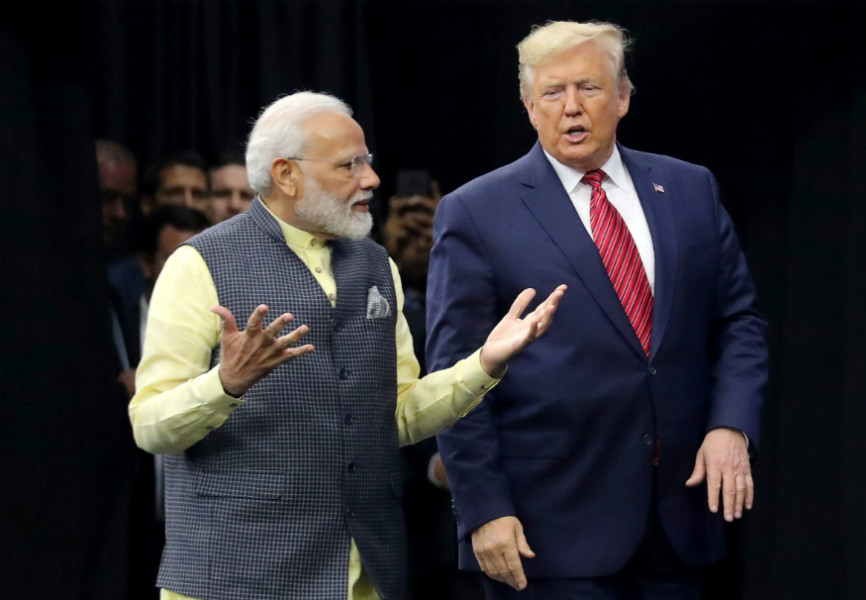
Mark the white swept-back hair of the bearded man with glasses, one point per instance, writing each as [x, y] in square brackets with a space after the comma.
[279, 132]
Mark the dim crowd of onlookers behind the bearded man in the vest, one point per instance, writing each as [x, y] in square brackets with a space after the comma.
[146, 215]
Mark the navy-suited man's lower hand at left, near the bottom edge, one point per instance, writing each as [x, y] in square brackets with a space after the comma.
[498, 546]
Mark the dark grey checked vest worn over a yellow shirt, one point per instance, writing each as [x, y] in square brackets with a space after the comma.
[264, 507]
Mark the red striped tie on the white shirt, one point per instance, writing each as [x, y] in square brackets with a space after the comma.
[621, 259]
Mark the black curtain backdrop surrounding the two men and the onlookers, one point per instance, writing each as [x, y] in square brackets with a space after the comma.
[770, 95]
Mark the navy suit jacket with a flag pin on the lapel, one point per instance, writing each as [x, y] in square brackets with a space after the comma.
[566, 441]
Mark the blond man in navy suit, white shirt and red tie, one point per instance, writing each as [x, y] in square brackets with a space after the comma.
[610, 457]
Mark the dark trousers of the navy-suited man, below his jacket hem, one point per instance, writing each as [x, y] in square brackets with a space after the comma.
[654, 573]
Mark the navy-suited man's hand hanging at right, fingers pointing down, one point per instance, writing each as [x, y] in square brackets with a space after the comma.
[723, 460]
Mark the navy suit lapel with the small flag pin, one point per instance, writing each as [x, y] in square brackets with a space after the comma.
[656, 193]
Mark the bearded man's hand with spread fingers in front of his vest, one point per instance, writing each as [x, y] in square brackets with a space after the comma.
[249, 355]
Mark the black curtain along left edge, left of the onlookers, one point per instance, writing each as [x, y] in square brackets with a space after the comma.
[66, 459]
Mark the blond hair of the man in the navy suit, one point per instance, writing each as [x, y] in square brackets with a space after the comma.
[549, 41]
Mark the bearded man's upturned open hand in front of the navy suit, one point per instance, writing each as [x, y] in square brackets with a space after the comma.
[513, 333]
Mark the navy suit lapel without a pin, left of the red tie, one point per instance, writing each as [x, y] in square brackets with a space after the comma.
[550, 205]
